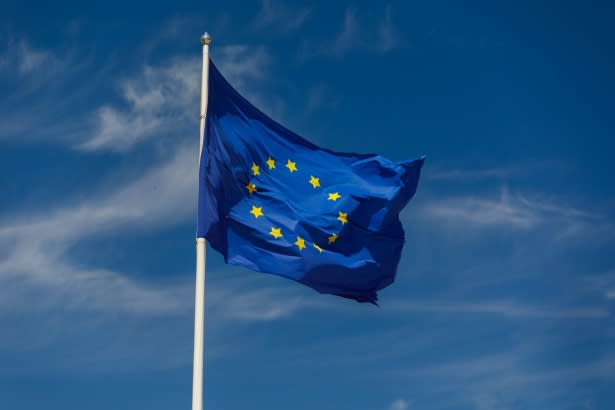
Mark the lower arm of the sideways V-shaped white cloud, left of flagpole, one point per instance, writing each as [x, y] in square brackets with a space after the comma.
[58, 284]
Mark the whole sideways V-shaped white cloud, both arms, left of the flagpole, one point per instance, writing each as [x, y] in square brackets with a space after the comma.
[35, 245]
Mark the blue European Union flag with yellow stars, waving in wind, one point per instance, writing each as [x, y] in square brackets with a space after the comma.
[271, 201]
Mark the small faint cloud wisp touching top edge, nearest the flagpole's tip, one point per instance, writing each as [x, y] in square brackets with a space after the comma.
[277, 16]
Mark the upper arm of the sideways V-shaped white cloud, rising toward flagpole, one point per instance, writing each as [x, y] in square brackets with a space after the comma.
[163, 196]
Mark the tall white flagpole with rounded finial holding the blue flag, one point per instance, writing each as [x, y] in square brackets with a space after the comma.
[199, 295]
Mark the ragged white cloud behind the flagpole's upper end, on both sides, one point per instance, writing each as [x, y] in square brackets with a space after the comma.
[162, 100]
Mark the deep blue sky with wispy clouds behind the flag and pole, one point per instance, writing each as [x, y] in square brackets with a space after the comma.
[505, 293]
